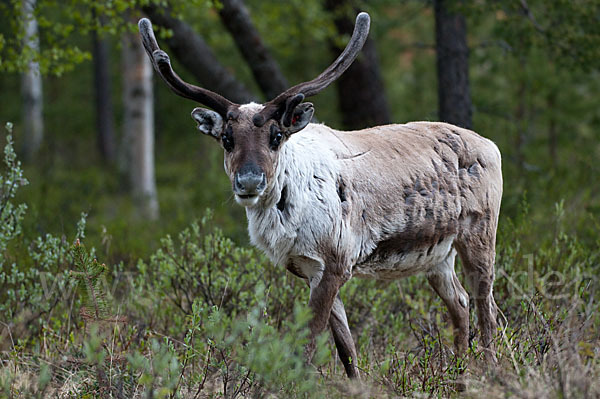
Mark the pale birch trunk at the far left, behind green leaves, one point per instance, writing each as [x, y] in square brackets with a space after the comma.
[31, 86]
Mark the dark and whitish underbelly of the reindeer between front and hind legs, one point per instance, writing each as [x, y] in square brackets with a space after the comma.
[393, 258]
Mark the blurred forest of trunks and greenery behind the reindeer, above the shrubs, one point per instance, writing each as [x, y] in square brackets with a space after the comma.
[522, 73]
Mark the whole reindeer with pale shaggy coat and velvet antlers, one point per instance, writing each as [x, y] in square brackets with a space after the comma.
[385, 202]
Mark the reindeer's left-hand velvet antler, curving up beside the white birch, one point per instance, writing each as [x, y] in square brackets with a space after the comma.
[162, 65]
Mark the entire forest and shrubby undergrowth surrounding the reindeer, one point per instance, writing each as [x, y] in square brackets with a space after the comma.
[200, 313]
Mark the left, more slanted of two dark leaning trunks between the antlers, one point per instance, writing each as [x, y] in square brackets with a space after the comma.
[196, 56]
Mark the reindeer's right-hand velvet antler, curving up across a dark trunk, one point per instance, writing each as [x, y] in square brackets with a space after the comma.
[278, 106]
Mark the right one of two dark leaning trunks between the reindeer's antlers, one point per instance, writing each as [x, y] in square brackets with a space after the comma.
[236, 18]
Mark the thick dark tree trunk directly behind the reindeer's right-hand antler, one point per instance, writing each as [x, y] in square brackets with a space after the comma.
[360, 89]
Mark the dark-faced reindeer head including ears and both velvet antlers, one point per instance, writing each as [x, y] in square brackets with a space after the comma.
[252, 134]
